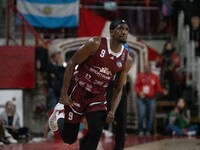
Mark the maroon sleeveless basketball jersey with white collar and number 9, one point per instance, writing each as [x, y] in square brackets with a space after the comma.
[95, 73]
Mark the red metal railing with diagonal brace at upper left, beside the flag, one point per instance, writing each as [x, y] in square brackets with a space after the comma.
[12, 9]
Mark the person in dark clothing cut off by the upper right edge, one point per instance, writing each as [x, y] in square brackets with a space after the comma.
[195, 34]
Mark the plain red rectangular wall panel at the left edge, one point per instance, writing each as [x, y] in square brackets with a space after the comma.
[17, 67]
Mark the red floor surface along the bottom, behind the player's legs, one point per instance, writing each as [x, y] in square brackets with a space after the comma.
[106, 143]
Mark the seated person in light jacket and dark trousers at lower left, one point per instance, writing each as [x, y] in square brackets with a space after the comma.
[11, 121]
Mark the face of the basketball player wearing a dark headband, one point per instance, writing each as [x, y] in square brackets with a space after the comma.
[120, 33]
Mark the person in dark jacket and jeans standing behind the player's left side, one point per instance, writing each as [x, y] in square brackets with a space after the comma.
[55, 73]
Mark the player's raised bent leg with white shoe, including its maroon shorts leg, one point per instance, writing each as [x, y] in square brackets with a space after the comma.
[67, 118]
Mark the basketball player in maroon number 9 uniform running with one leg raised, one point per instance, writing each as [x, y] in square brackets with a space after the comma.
[85, 83]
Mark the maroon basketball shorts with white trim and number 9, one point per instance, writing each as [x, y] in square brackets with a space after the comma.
[83, 102]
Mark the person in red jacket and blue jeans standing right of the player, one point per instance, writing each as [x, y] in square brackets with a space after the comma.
[147, 86]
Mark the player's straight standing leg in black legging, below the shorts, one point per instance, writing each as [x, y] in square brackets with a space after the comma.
[96, 122]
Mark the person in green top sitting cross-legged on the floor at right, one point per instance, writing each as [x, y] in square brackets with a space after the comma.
[179, 120]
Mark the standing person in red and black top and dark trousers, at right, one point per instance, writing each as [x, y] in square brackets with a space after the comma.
[169, 61]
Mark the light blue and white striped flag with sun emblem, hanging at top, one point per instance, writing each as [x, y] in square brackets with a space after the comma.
[50, 13]
